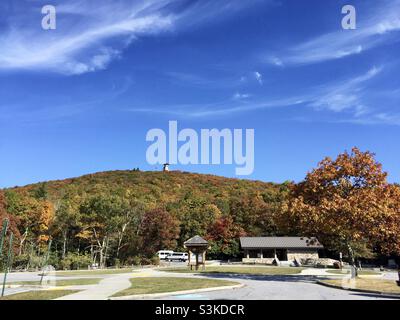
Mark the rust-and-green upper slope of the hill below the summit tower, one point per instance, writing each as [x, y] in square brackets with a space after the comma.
[150, 185]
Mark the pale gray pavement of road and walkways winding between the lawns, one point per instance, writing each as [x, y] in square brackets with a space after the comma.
[273, 287]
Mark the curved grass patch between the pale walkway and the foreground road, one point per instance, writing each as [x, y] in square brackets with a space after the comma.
[159, 285]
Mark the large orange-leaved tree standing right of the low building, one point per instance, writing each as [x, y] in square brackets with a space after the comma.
[346, 201]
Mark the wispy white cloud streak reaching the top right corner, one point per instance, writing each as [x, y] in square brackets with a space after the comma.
[381, 27]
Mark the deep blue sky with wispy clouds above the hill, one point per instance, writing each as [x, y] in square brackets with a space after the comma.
[81, 98]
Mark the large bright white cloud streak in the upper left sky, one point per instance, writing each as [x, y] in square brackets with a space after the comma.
[90, 34]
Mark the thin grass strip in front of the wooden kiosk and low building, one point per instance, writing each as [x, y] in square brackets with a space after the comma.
[241, 270]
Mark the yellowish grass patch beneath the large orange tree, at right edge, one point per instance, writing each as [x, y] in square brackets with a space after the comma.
[386, 286]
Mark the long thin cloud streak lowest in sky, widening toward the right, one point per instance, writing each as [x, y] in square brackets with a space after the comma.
[345, 96]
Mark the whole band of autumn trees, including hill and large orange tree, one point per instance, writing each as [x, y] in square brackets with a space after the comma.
[125, 217]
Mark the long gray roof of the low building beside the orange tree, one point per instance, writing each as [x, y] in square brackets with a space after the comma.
[279, 242]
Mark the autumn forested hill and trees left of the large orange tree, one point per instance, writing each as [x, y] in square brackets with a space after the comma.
[126, 216]
